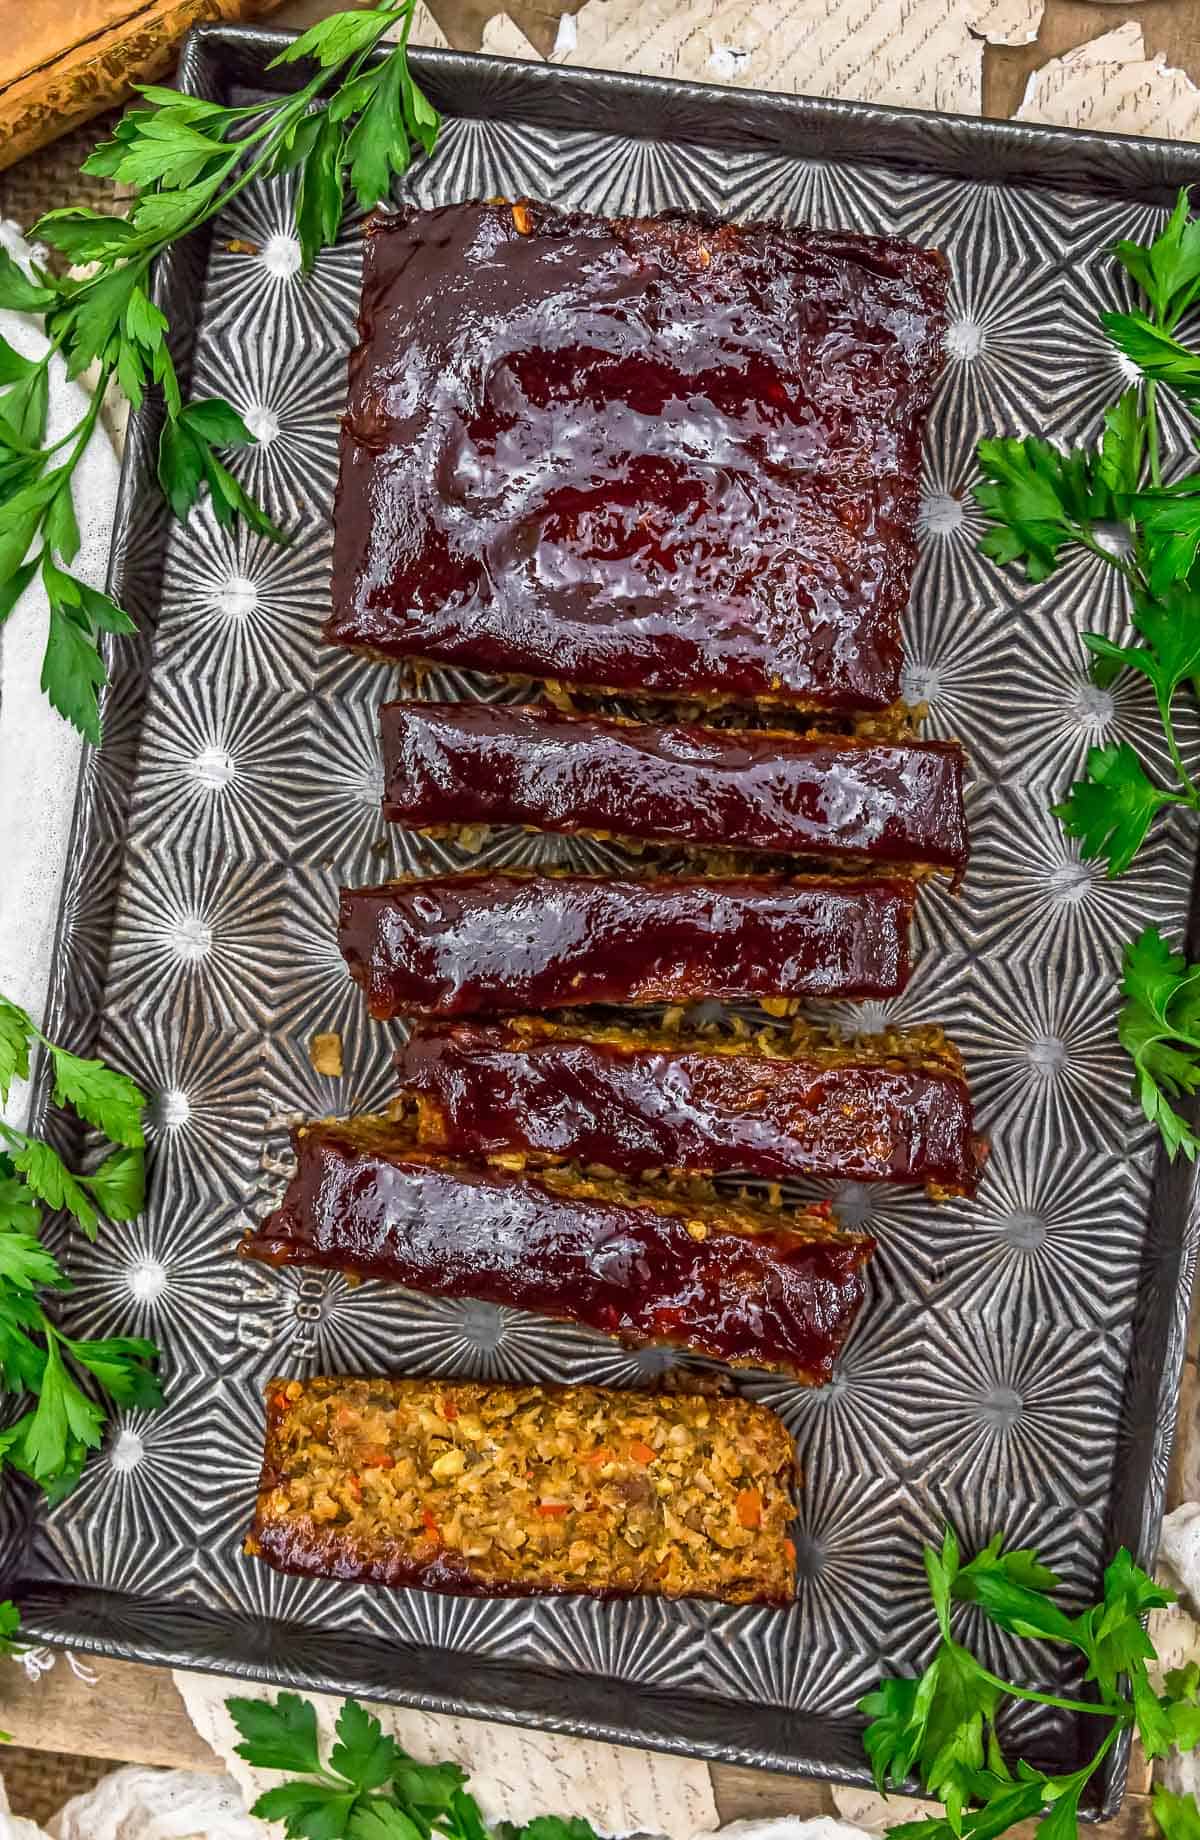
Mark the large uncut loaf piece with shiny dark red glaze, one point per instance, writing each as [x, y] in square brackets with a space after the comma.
[654, 455]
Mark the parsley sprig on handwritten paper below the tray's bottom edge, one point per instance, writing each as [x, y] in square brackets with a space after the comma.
[369, 1789]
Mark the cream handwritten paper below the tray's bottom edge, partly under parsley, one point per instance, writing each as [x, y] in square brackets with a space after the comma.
[514, 1775]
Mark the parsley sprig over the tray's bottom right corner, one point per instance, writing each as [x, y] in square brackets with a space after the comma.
[941, 1727]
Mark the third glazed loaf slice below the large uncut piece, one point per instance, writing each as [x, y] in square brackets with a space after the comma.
[638, 1101]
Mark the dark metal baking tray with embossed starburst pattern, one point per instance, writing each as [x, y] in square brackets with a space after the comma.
[1017, 1364]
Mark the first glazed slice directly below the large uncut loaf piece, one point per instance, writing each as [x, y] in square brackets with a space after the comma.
[724, 788]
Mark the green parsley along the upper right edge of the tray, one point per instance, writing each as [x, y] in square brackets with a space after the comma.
[1114, 501]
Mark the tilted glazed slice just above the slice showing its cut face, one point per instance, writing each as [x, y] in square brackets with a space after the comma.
[730, 1280]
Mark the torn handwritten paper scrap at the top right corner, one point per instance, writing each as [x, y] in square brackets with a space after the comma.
[1113, 87]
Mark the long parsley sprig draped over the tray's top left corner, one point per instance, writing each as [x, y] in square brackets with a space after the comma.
[354, 121]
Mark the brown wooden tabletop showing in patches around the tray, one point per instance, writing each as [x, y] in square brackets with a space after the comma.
[135, 1714]
